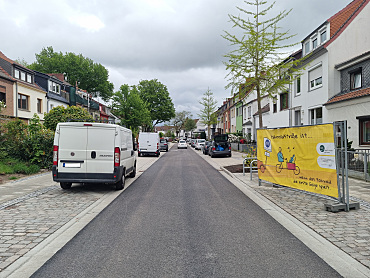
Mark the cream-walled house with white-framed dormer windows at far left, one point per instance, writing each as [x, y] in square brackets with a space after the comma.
[28, 98]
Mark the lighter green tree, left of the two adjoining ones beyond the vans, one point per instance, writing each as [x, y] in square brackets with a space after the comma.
[128, 106]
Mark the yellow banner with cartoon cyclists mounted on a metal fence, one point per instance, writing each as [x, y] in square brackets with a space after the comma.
[299, 157]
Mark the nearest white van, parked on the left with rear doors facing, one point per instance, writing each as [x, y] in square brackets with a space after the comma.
[93, 153]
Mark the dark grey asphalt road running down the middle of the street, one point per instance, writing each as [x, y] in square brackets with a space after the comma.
[182, 218]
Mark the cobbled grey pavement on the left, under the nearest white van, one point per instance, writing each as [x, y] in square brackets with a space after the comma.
[33, 208]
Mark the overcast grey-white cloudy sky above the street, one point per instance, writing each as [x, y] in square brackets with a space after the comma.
[177, 42]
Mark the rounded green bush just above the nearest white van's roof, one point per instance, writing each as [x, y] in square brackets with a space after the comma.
[61, 114]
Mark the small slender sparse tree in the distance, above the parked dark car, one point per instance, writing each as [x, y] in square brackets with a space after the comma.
[207, 114]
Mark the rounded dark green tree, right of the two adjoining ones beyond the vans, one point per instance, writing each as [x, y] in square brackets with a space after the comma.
[157, 100]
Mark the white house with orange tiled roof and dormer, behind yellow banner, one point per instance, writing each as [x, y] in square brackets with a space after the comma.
[333, 85]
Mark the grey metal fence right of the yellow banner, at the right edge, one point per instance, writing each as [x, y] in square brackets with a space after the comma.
[358, 163]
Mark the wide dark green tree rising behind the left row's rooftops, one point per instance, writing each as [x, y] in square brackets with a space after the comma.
[79, 70]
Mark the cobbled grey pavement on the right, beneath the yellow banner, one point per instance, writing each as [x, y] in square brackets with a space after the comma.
[350, 231]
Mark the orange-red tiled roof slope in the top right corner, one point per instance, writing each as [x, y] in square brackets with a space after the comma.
[340, 21]
